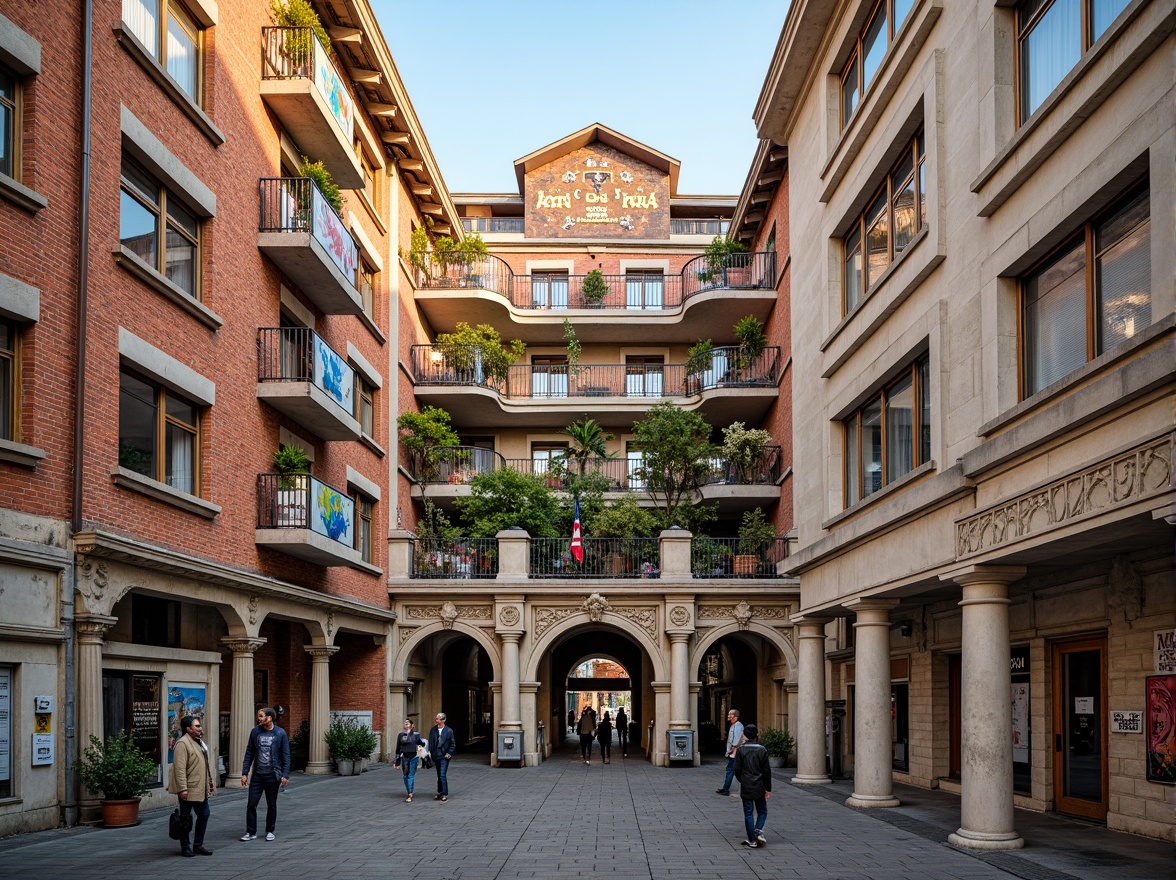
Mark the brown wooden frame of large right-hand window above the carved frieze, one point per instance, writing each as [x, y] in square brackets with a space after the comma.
[1088, 235]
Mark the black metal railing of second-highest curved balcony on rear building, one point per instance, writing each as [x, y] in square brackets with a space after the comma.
[449, 365]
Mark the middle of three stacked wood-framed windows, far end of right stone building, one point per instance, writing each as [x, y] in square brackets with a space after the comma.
[887, 228]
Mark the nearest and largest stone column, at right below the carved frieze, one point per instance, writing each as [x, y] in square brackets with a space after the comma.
[986, 715]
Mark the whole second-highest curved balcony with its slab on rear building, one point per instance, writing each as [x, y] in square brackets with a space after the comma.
[725, 389]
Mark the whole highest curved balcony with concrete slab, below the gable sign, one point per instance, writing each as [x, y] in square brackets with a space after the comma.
[690, 305]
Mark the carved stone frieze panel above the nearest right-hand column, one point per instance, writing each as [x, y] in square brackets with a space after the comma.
[1124, 479]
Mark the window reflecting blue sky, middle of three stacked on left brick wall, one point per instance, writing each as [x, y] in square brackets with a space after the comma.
[149, 215]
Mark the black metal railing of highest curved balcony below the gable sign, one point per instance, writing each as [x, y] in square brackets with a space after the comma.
[632, 292]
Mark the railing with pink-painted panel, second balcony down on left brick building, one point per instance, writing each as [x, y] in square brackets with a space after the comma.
[297, 205]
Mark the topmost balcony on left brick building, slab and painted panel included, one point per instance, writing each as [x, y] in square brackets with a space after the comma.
[302, 86]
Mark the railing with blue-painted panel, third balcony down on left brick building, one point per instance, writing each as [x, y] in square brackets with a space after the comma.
[299, 355]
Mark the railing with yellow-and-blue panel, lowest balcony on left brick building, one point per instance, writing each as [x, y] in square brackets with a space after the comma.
[302, 502]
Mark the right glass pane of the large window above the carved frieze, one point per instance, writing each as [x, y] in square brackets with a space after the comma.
[1124, 274]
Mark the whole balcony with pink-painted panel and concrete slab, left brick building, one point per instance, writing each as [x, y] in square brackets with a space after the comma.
[308, 241]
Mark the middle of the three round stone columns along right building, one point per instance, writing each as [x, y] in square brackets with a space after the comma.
[873, 742]
